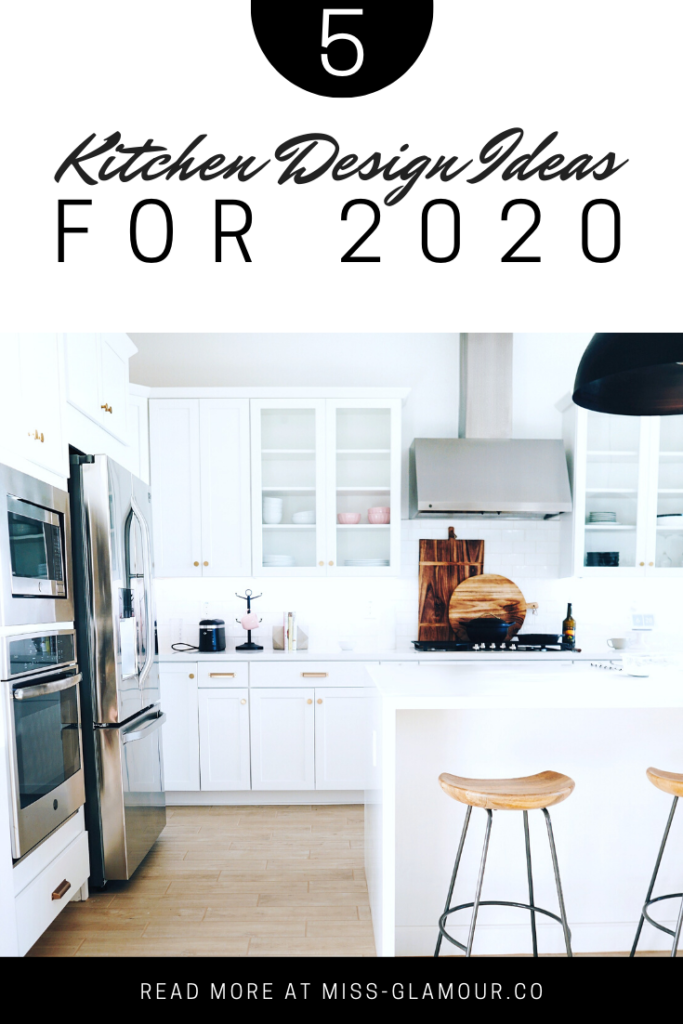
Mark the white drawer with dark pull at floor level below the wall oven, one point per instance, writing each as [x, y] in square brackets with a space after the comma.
[36, 908]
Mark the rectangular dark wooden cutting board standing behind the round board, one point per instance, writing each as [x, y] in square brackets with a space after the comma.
[444, 565]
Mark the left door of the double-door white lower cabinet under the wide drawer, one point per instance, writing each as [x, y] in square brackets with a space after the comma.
[283, 746]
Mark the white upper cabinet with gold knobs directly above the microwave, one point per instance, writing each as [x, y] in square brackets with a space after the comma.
[32, 395]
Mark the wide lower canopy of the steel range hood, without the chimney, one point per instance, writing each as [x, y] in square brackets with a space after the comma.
[475, 479]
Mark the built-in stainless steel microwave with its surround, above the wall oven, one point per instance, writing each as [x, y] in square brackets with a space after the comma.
[35, 552]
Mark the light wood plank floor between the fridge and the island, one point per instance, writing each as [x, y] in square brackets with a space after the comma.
[233, 882]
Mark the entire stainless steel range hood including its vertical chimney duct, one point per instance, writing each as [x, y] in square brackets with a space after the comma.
[486, 474]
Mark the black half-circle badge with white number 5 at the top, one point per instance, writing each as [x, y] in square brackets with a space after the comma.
[343, 48]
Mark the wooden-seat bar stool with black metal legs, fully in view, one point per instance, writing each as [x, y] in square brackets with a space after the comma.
[531, 794]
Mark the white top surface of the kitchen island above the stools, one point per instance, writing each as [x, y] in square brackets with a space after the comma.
[570, 686]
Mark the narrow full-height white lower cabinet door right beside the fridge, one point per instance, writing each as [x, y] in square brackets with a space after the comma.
[180, 699]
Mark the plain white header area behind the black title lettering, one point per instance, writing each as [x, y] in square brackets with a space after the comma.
[605, 74]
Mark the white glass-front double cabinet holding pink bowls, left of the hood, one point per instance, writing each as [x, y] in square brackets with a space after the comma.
[326, 487]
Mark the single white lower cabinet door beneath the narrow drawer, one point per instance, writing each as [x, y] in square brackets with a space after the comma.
[225, 739]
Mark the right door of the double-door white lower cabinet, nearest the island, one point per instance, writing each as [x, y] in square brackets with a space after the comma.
[343, 739]
